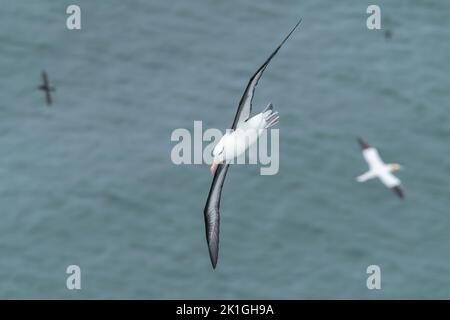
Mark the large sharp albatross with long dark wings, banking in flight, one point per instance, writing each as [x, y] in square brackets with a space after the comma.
[244, 132]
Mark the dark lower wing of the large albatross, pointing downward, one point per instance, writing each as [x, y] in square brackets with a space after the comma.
[211, 211]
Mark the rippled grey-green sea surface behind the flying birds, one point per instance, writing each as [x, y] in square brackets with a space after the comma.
[90, 181]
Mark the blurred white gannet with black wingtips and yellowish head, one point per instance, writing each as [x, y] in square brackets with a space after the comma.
[379, 169]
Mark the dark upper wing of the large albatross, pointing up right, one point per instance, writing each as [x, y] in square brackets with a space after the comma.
[245, 105]
